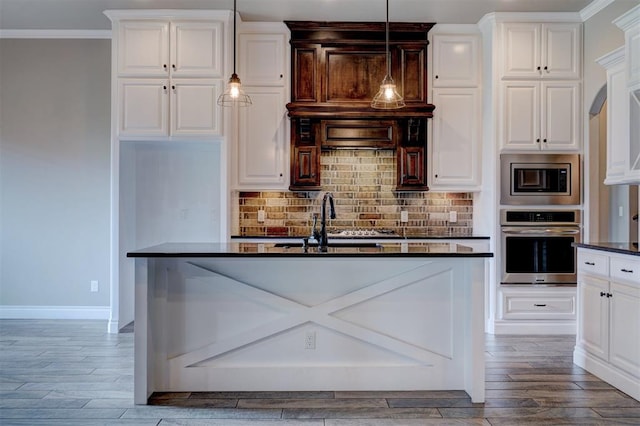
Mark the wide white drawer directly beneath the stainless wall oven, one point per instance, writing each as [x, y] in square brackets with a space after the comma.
[530, 306]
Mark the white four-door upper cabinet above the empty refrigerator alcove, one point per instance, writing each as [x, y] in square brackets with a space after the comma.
[168, 71]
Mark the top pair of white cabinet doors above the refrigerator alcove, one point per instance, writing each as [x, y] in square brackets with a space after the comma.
[153, 48]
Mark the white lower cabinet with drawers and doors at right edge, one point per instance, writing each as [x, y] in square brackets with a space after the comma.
[608, 338]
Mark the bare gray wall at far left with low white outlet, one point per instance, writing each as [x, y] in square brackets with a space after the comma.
[54, 172]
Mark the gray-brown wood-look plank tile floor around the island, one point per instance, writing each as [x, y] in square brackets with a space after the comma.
[74, 373]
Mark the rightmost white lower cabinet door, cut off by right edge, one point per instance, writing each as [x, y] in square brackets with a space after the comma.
[624, 350]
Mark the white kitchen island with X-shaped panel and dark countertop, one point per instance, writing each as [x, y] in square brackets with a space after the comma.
[282, 317]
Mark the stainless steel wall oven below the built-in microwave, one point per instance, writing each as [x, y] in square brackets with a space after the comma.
[537, 246]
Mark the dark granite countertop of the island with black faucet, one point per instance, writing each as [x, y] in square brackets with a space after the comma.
[391, 249]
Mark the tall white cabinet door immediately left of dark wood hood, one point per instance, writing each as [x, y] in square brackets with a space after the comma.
[262, 140]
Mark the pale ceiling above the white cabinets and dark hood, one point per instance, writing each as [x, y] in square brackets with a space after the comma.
[87, 14]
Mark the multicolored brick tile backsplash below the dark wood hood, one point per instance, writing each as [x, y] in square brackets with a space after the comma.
[362, 183]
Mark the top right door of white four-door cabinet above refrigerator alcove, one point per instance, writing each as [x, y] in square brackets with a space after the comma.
[197, 49]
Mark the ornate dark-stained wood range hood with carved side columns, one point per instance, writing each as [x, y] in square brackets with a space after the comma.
[337, 68]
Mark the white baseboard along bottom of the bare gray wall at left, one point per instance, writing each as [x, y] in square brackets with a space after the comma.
[54, 312]
